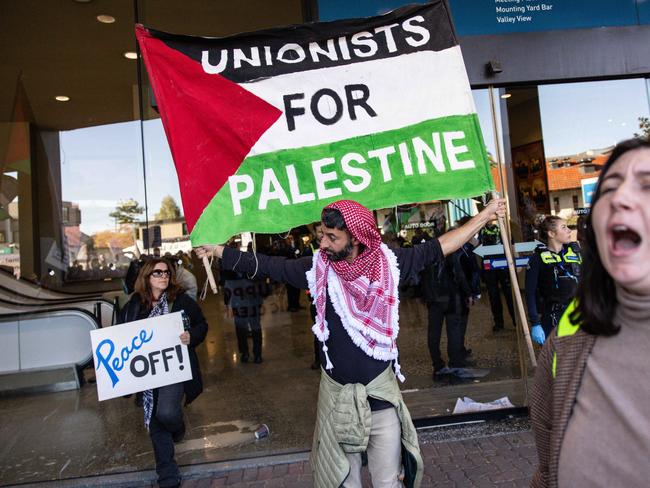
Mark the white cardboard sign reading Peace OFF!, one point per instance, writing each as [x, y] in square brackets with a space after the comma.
[140, 355]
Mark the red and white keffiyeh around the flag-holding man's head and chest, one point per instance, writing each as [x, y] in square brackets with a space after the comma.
[364, 292]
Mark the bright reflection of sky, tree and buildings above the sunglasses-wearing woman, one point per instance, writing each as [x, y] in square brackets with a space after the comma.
[102, 200]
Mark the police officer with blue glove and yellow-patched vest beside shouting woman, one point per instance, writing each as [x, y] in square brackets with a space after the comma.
[552, 276]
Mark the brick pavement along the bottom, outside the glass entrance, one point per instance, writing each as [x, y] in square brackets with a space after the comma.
[499, 453]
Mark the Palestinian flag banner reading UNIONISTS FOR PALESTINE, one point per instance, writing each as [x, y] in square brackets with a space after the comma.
[268, 127]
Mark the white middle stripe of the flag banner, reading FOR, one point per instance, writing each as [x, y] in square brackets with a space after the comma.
[402, 91]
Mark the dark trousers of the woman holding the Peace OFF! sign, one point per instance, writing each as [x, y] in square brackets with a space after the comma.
[166, 420]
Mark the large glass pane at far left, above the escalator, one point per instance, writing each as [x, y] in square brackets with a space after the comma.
[69, 153]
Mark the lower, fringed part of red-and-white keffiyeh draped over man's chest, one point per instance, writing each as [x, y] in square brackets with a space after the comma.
[369, 311]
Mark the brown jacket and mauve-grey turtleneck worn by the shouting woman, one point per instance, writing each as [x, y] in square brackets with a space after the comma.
[562, 406]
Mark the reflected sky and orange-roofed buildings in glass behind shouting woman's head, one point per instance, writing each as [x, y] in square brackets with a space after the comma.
[581, 122]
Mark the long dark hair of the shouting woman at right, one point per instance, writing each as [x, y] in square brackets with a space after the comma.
[596, 292]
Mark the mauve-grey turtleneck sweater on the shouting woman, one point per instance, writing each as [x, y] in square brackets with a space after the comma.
[607, 441]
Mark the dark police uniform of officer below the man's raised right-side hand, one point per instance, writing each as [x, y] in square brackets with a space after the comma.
[497, 281]
